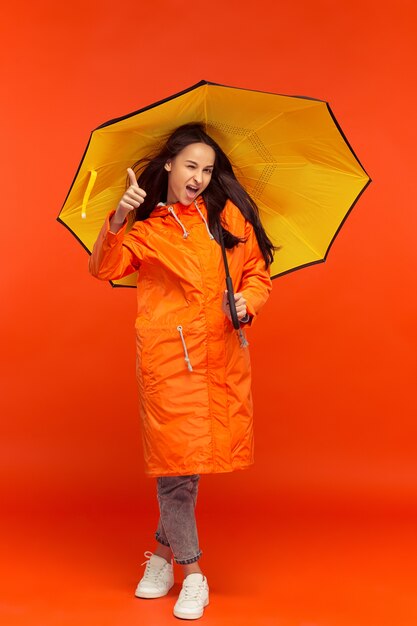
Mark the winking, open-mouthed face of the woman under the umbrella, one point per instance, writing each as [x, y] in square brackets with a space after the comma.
[189, 173]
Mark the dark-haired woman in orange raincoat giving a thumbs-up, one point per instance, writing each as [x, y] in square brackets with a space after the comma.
[192, 373]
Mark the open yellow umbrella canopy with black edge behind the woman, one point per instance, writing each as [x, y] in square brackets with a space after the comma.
[287, 151]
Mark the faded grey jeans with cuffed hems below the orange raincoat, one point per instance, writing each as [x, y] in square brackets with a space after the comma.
[177, 528]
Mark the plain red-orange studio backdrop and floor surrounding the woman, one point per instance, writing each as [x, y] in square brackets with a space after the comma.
[333, 351]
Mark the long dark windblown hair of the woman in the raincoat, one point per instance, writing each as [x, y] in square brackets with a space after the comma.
[223, 185]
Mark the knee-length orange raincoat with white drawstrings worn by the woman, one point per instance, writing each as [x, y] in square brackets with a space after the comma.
[194, 378]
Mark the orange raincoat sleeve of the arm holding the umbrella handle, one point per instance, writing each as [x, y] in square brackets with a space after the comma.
[255, 284]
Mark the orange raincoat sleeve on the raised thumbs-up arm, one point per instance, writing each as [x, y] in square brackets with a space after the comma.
[115, 255]
